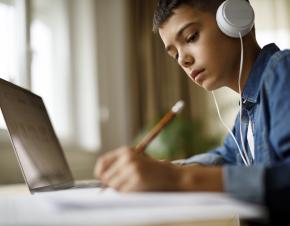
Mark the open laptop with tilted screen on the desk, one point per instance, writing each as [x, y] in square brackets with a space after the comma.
[37, 148]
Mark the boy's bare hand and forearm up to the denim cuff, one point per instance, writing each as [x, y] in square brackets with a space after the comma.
[126, 170]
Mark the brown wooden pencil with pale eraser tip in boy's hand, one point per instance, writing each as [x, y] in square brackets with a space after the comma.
[167, 118]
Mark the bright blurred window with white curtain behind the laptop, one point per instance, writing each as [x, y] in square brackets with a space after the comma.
[35, 43]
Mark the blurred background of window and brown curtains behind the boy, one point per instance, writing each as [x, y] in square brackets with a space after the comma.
[104, 75]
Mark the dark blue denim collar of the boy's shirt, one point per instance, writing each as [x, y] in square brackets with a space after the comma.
[252, 87]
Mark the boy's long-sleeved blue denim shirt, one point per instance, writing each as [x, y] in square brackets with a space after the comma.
[266, 103]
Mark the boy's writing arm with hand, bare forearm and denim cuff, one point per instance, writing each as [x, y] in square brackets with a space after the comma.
[126, 170]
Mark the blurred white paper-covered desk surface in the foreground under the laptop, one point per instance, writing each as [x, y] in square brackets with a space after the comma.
[91, 207]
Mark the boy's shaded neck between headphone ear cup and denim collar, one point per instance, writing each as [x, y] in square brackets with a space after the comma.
[251, 52]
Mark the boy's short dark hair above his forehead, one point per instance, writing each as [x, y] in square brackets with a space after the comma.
[165, 9]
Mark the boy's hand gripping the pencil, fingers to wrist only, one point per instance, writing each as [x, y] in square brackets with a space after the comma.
[126, 170]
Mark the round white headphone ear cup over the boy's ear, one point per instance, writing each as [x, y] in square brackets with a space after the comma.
[235, 17]
